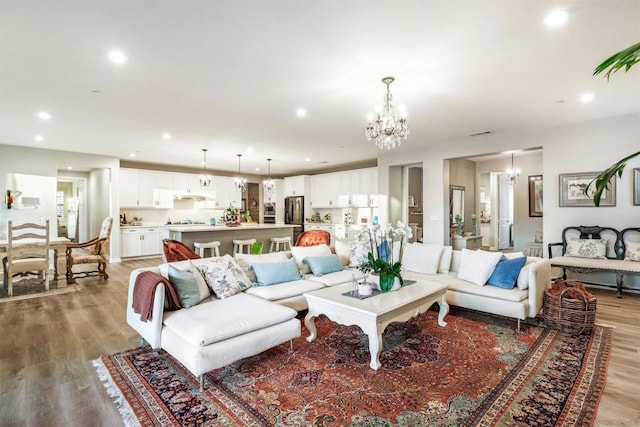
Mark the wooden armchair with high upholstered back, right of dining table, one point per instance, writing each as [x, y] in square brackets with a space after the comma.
[94, 251]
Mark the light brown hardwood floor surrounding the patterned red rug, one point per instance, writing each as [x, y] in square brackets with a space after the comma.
[48, 343]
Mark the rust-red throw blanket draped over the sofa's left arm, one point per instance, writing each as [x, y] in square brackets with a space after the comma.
[144, 289]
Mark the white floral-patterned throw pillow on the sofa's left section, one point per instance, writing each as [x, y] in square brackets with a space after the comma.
[224, 276]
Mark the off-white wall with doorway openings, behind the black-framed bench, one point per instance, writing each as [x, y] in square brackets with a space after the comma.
[582, 147]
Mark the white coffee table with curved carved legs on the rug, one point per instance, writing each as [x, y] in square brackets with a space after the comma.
[374, 314]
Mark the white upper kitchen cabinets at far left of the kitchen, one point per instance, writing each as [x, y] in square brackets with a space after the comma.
[145, 189]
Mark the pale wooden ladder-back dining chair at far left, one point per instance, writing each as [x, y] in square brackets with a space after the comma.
[27, 254]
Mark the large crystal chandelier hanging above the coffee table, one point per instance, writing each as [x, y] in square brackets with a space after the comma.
[387, 130]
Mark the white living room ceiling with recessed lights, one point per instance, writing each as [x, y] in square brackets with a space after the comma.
[229, 75]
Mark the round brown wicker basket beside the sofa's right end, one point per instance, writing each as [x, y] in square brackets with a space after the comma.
[572, 310]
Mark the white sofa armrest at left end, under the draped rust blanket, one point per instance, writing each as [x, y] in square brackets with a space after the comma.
[150, 330]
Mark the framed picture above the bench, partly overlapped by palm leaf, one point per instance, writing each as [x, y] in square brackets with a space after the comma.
[573, 190]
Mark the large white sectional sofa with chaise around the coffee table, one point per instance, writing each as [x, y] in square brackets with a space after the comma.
[216, 332]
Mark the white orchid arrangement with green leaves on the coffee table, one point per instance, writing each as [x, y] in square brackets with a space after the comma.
[381, 266]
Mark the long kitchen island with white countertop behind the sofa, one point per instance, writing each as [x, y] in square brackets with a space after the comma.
[188, 234]
